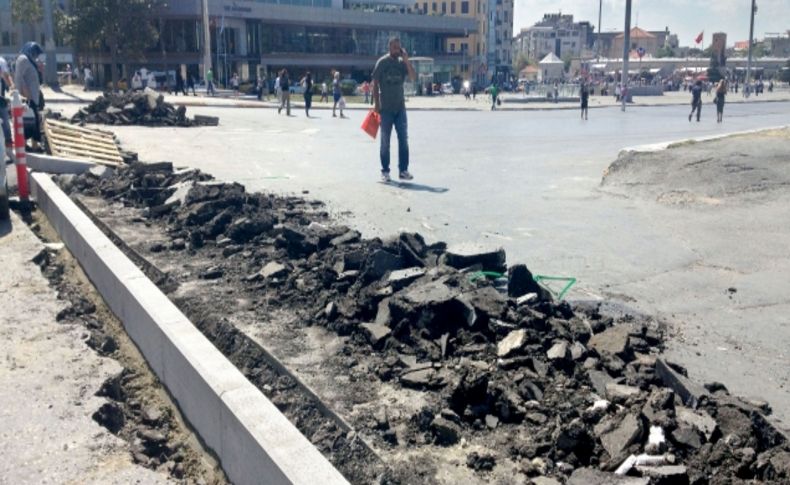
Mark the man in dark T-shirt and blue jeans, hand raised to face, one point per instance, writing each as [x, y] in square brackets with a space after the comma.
[388, 100]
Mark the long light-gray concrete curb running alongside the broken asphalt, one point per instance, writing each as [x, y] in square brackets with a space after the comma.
[254, 442]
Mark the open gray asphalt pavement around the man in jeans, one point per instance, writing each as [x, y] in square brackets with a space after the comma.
[530, 182]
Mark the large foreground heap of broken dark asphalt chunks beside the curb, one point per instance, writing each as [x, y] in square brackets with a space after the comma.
[580, 392]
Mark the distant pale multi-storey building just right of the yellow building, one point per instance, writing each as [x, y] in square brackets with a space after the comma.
[557, 34]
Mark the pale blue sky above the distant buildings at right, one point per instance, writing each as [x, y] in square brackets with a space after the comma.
[687, 18]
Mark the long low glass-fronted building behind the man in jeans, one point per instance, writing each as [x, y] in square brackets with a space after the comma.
[259, 37]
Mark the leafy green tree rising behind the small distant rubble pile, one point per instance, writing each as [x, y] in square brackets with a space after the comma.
[120, 27]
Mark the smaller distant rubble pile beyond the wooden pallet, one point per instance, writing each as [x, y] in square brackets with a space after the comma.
[147, 108]
